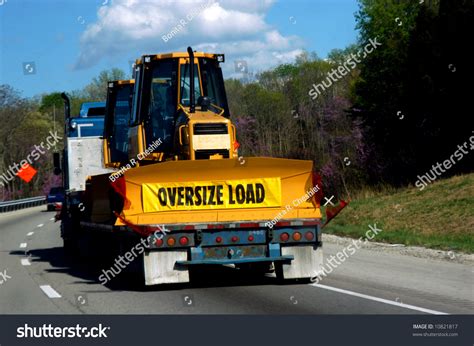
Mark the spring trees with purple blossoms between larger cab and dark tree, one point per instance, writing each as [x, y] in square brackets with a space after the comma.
[276, 117]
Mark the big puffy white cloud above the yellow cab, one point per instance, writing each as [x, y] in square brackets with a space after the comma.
[233, 27]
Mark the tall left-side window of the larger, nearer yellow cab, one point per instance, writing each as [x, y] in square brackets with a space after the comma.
[162, 105]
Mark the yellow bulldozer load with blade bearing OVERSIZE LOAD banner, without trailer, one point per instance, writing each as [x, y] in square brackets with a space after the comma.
[179, 115]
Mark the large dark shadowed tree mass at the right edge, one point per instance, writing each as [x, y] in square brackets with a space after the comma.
[406, 92]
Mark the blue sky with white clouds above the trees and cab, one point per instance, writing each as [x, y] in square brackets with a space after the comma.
[68, 42]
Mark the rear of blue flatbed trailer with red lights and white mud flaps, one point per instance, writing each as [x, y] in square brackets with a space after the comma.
[293, 246]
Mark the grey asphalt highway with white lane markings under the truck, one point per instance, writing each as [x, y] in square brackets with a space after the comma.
[37, 278]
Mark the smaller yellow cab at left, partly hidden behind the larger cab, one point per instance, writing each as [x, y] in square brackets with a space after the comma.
[117, 119]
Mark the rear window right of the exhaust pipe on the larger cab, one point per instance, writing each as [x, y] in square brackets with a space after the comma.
[213, 83]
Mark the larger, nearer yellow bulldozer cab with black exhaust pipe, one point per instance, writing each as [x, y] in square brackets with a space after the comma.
[172, 92]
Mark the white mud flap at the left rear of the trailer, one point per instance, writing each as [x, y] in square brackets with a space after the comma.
[160, 267]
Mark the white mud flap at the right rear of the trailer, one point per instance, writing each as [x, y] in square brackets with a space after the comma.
[307, 263]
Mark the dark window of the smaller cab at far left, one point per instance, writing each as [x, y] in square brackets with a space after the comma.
[118, 141]
